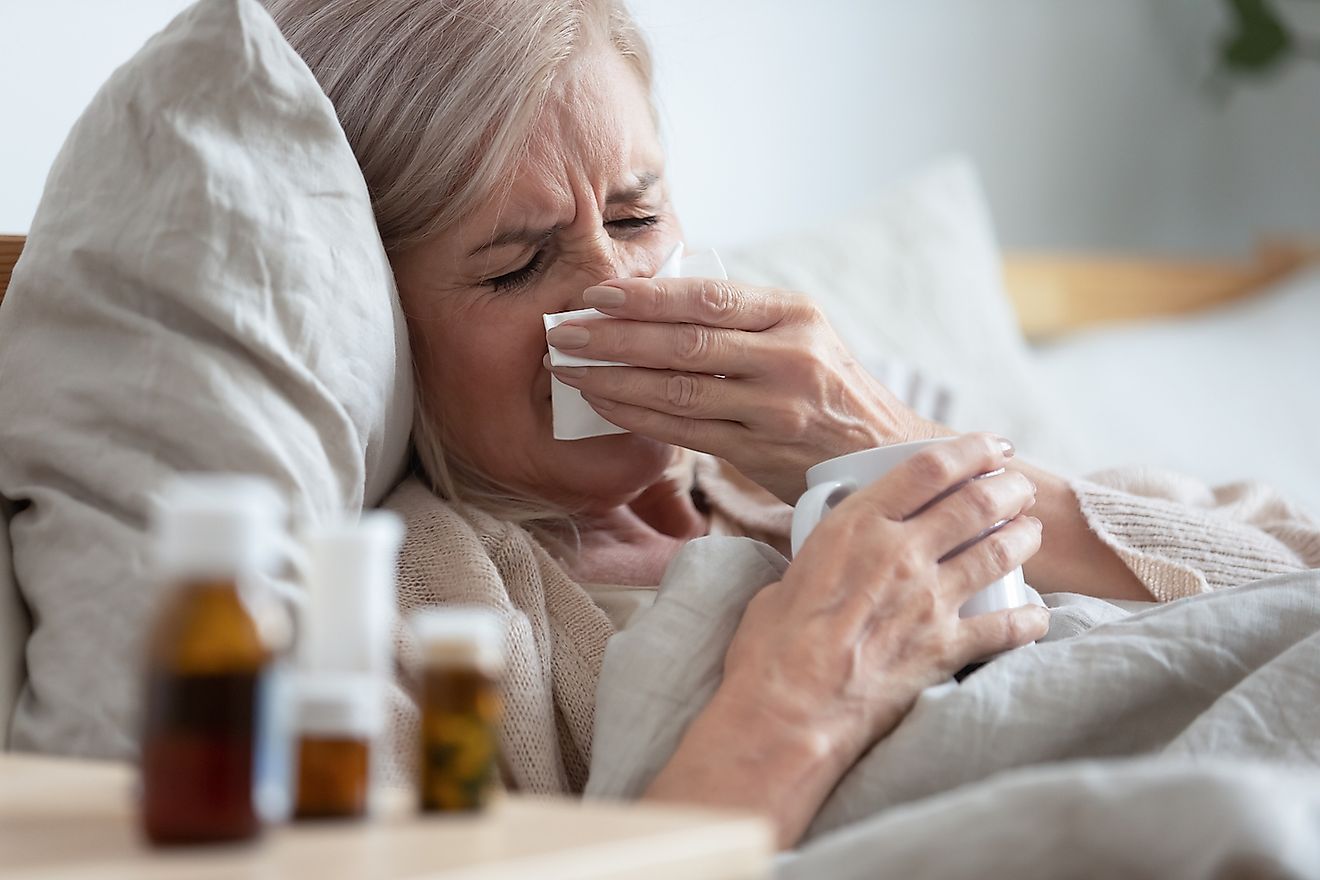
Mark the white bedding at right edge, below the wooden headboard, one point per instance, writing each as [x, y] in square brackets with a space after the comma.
[1224, 395]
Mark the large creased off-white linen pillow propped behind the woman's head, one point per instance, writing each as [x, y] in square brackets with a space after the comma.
[204, 288]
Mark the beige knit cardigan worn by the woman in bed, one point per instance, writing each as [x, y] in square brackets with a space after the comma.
[1178, 536]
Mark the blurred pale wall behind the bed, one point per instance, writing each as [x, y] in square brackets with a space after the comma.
[1088, 119]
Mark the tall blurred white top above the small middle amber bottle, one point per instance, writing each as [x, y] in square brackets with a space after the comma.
[350, 598]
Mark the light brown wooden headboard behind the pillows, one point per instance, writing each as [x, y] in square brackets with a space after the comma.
[1055, 295]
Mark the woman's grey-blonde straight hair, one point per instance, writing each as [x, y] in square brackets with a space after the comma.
[438, 100]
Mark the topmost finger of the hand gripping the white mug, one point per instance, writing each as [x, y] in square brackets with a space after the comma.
[935, 470]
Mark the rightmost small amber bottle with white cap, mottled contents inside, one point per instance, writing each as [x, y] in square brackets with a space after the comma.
[463, 660]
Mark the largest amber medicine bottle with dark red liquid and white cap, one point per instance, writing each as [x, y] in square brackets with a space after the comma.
[214, 763]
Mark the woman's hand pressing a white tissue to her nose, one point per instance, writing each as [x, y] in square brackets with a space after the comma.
[754, 377]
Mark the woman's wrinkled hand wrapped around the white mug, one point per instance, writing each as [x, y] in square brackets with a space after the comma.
[868, 614]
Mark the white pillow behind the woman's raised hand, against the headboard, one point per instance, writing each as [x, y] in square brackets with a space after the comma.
[918, 280]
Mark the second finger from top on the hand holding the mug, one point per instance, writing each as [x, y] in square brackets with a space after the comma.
[972, 511]
